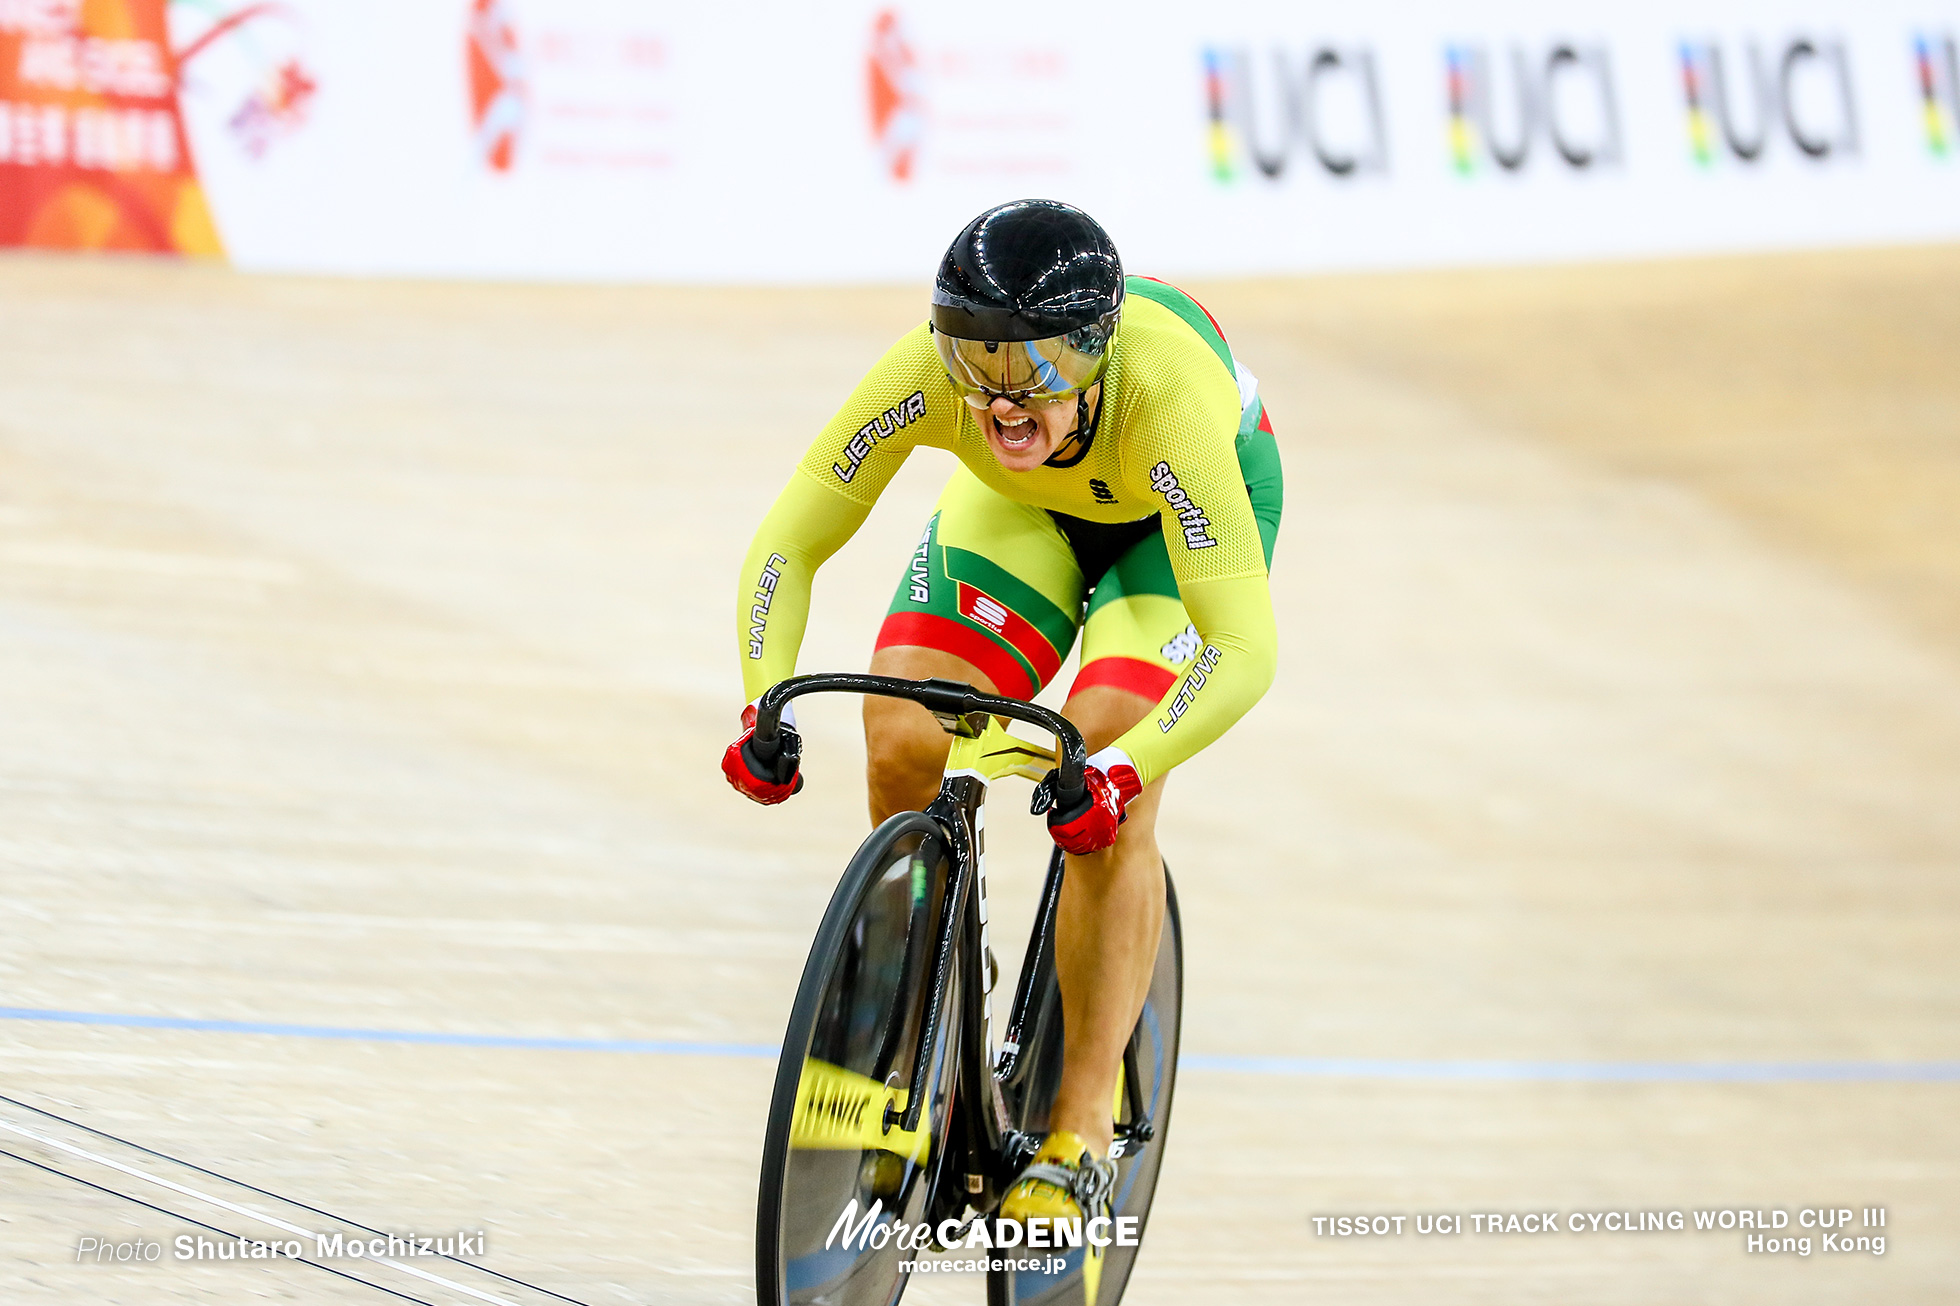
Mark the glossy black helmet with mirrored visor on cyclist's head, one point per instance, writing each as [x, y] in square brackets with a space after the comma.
[1026, 305]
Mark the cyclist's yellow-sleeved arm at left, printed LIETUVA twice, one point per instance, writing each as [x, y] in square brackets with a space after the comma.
[903, 403]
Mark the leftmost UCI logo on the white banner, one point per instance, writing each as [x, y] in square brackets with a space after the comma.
[1326, 105]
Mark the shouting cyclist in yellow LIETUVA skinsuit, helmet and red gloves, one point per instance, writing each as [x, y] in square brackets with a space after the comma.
[1118, 477]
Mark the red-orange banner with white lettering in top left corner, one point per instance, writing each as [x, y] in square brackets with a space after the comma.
[93, 148]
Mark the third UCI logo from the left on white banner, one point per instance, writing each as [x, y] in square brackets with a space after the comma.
[1741, 99]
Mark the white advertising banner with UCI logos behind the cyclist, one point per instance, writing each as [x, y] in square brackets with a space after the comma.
[848, 142]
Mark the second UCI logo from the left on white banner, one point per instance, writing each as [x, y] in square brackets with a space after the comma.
[1504, 107]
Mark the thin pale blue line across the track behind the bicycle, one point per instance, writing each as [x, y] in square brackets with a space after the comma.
[1291, 1068]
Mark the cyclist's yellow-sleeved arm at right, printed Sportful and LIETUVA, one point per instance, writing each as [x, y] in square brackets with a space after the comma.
[1185, 462]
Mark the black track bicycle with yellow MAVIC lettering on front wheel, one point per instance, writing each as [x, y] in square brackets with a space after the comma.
[895, 1103]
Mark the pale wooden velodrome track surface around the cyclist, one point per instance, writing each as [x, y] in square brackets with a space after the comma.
[366, 652]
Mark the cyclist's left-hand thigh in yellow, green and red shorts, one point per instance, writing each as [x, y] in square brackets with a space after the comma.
[993, 583]
